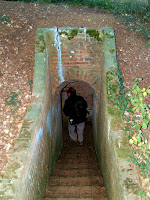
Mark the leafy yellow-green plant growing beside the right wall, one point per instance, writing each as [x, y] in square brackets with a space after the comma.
[140, 122]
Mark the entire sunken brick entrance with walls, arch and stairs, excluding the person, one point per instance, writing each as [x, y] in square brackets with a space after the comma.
[44, 164]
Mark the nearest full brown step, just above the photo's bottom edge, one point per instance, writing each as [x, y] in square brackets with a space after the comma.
[75, 192]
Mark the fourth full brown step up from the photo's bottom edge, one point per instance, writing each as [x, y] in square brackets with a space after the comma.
[85, 165]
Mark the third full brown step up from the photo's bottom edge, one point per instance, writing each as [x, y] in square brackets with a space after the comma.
[76, 172]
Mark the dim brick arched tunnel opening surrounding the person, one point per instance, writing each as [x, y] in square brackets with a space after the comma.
[83, 89]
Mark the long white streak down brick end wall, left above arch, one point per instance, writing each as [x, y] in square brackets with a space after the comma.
[58, 46]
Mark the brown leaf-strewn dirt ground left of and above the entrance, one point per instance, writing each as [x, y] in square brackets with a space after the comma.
[18, 24]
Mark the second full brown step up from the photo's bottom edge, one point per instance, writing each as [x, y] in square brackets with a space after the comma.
[76, 181]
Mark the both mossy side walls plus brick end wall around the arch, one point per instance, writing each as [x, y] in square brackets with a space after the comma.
[63, 57]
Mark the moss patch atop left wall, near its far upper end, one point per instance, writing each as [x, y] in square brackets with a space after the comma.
[40, 44]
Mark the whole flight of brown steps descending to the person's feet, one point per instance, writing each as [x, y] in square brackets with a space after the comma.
[77, 174]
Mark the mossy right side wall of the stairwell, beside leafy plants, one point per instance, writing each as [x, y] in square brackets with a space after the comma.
[112, 147]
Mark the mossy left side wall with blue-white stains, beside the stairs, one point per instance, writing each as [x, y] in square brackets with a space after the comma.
[40, 140]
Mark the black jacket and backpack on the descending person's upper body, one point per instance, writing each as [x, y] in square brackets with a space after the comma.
[75, 108]
